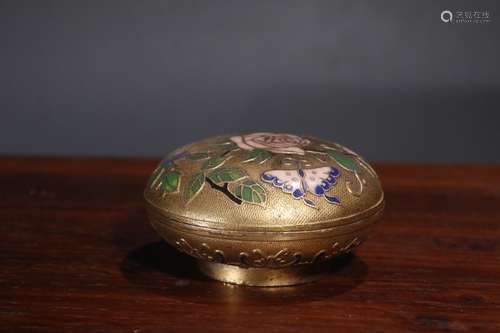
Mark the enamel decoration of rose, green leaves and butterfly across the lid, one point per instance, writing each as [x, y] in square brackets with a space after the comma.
[297, 177]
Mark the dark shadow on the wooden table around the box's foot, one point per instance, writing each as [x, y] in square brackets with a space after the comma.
[161, 269]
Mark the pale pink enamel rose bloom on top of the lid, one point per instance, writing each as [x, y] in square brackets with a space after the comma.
[280, 143]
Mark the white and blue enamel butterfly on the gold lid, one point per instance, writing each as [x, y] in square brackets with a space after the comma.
[298, 182]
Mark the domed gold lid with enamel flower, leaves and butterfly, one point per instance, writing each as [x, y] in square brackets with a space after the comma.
[264, 182]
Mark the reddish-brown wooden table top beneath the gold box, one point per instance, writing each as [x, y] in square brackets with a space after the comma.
[78, 255]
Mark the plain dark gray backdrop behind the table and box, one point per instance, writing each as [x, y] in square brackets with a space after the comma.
[388, 79]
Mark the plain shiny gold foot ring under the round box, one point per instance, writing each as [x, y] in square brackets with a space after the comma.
[261, 277]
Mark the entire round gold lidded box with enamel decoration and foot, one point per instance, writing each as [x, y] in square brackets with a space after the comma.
[264, 209]
